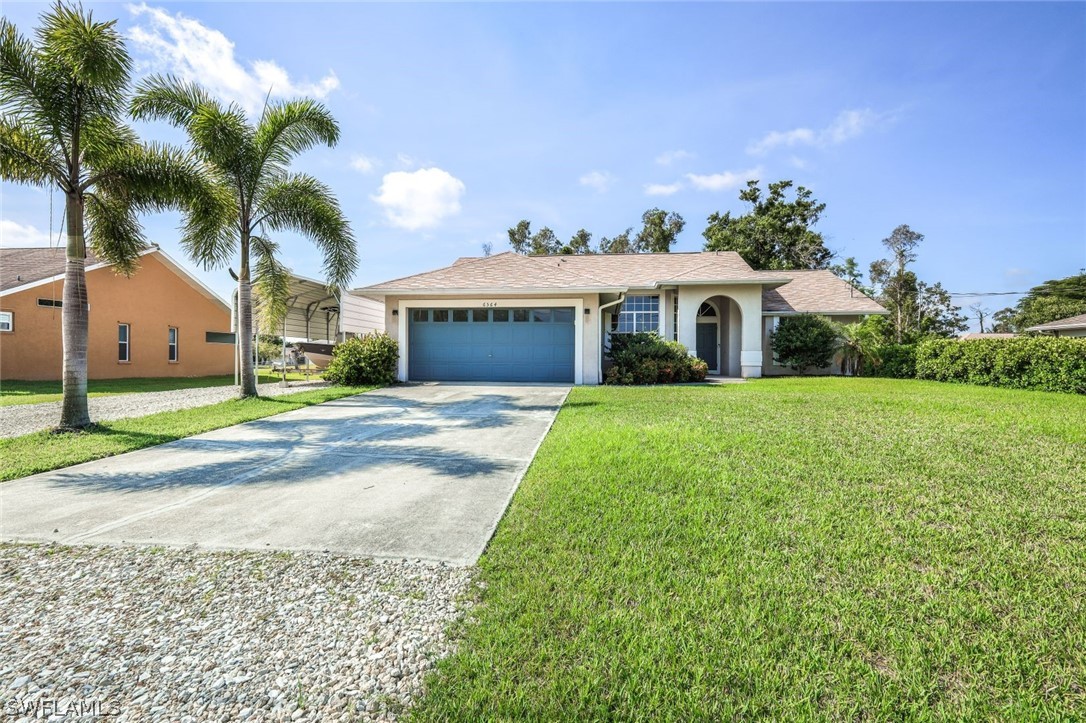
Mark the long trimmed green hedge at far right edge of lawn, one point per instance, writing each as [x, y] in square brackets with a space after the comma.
[1042, 363]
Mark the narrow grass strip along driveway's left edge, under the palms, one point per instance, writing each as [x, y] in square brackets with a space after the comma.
[44, 451]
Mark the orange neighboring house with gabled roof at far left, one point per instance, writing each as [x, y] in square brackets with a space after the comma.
[161, 322]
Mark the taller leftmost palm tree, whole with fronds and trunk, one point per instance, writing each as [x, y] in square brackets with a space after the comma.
[64, 102]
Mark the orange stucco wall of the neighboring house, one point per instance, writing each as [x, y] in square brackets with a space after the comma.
[150, 301]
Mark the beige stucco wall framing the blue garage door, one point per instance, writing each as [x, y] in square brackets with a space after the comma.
[588, 325]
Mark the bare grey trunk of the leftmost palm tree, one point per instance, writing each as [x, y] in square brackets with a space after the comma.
[74, 322]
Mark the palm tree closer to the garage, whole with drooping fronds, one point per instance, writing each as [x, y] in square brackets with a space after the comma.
[250, 163]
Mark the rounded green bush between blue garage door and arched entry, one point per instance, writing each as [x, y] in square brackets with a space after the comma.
[646, 359]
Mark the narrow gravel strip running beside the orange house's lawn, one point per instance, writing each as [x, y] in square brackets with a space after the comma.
[19, 420]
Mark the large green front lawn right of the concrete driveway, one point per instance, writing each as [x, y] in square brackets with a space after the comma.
[788, 550]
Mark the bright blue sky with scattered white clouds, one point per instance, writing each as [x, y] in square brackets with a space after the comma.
[966, 121]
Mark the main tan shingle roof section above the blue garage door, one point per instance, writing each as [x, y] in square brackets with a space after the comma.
[592, 273]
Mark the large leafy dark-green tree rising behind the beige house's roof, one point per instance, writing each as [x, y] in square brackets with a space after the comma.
[776, 234]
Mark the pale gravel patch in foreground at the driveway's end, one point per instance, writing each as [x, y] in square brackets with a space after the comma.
[169, 635]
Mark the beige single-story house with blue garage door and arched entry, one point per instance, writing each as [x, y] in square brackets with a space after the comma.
[510, 318]
